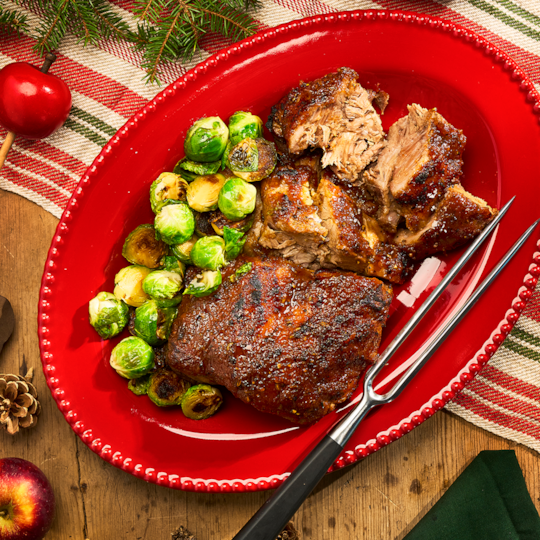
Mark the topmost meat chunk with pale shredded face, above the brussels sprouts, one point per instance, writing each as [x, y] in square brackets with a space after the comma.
[334, 113]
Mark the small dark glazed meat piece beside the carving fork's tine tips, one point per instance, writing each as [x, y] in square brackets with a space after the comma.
[459, 217]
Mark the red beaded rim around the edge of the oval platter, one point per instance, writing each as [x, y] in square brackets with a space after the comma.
[348, 457]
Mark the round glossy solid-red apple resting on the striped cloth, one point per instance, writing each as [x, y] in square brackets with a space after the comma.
[33, 104]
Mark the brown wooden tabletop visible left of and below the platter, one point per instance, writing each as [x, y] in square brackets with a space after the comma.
[382, 497]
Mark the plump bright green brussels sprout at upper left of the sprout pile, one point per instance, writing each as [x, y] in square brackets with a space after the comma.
[206, 139]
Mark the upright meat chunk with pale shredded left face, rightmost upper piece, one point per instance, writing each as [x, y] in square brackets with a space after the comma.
[421, 160]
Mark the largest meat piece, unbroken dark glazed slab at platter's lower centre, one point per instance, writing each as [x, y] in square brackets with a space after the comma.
[282, 338]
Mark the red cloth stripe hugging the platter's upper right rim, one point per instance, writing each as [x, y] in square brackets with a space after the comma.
[527, 61]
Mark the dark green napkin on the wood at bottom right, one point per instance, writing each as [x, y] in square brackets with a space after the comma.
[489, 501]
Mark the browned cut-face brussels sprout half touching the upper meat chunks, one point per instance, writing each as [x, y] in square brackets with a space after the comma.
[252, 159]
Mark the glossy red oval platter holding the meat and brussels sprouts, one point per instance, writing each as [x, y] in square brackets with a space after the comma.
[415, 59]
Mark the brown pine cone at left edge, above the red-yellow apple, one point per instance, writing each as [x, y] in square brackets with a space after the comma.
[19, 406]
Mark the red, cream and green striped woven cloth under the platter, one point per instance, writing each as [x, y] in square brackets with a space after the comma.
[505, 397]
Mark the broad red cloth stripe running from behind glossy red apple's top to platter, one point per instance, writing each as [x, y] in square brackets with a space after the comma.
[103, 89]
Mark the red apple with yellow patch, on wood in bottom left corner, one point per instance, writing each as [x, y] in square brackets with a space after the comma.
[26, 501]
